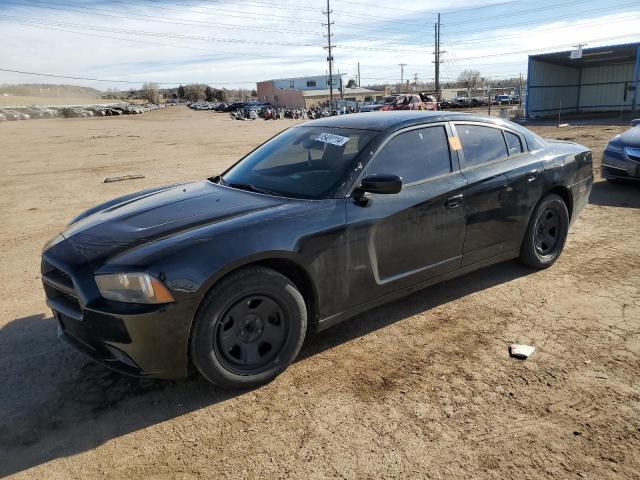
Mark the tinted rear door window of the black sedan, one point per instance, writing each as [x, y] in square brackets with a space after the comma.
[481, 144]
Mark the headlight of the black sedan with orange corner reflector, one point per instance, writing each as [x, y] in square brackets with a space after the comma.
[133, 288]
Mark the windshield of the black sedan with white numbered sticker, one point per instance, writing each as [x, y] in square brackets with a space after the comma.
[301, 162]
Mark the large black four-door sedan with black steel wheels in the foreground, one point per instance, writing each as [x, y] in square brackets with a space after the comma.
[326, 220]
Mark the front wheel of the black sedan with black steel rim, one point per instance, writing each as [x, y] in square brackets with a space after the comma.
[248, 329]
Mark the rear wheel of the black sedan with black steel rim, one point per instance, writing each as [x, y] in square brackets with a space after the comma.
[546, 233]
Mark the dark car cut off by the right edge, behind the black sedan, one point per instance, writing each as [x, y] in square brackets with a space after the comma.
[621, 157]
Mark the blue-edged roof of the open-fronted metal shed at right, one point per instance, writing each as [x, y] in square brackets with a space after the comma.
[593, 57]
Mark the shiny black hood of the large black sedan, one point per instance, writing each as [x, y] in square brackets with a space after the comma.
[134, 220]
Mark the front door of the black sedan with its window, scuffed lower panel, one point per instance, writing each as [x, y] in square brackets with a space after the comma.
[399, 240]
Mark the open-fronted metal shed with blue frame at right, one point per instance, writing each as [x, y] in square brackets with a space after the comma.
[602, 79]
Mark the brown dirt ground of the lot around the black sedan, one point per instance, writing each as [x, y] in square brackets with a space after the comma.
[420, 388]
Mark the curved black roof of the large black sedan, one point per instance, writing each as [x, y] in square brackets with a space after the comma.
[398, 119]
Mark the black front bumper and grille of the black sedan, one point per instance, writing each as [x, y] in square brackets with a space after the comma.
[140, 340]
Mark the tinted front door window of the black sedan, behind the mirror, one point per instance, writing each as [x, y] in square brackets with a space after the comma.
[414, 155]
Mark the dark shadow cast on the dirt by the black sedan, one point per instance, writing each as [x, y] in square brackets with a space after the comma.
[56, 403]
